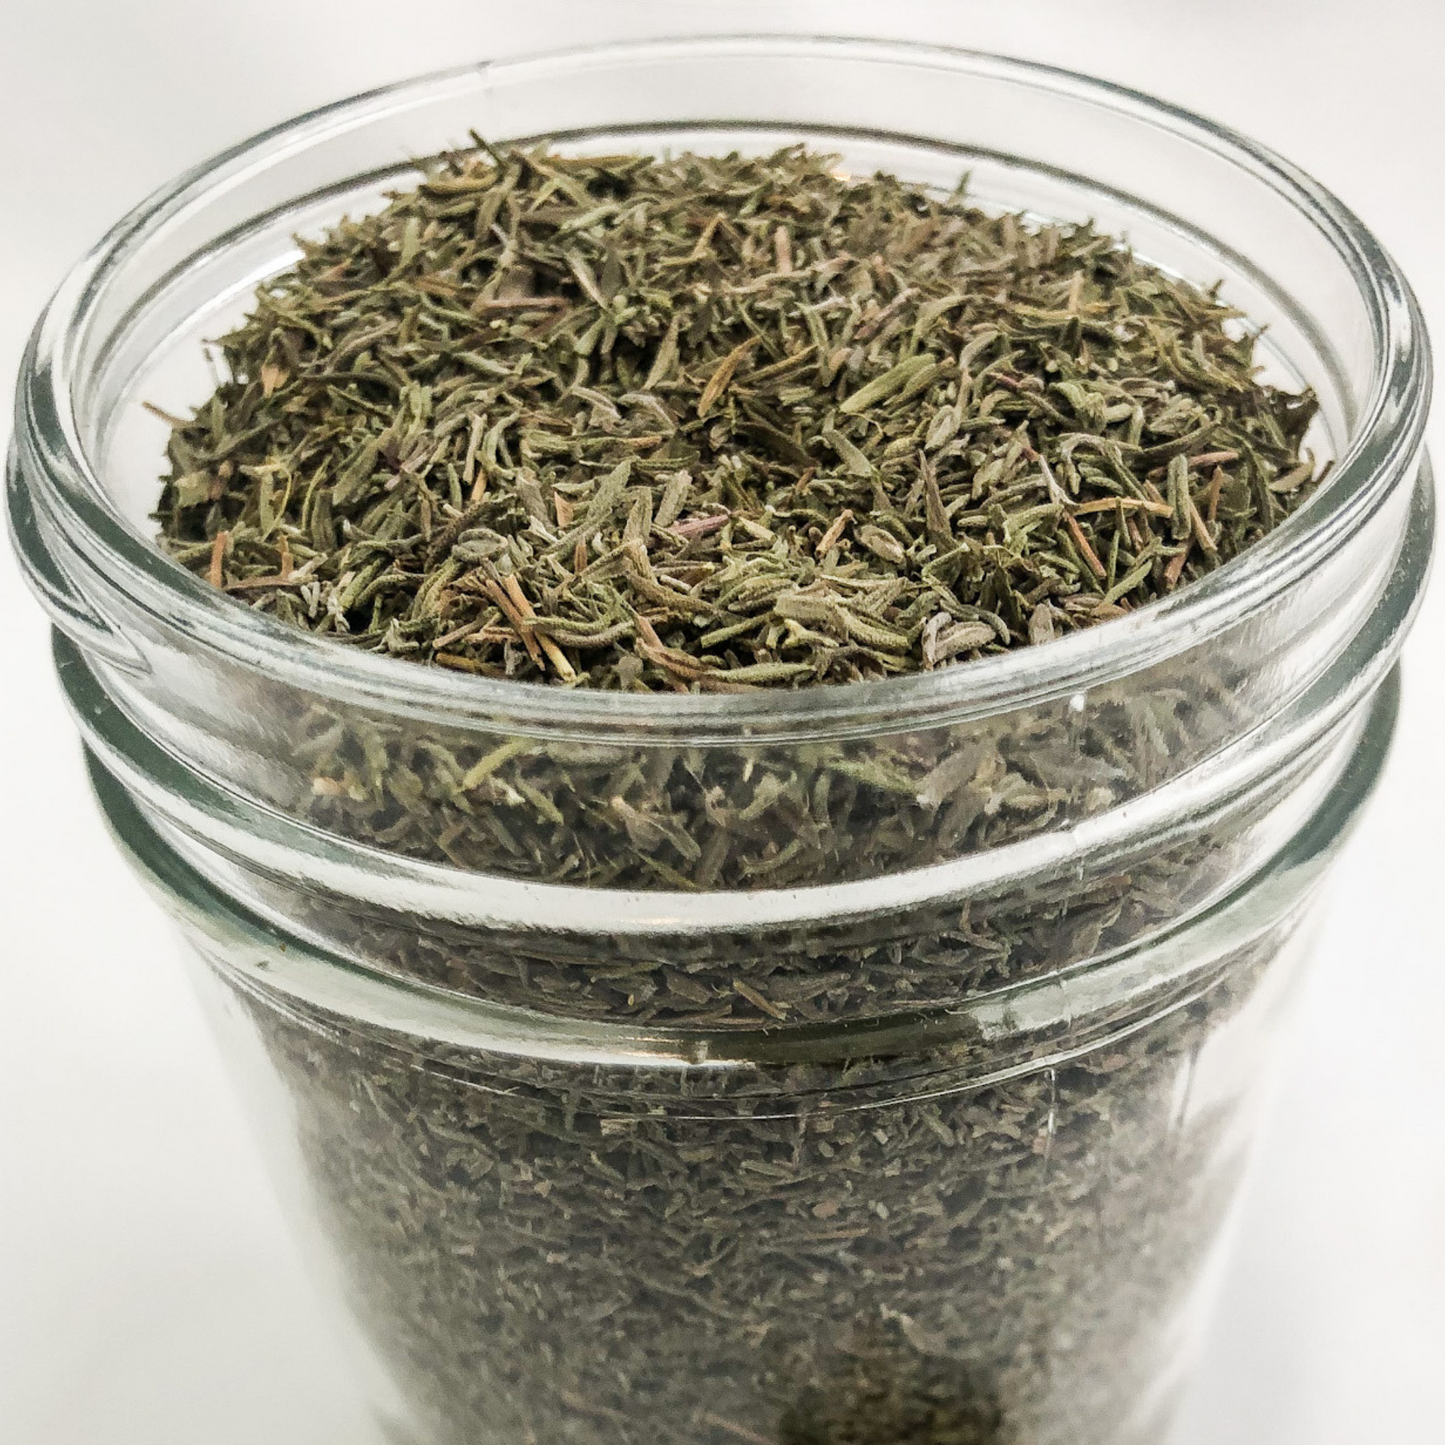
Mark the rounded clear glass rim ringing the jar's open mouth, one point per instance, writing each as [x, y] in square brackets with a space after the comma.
[1382, 447]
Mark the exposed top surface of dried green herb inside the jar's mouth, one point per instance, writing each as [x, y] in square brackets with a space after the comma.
[720, 423]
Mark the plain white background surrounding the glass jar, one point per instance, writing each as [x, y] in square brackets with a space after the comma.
[150, 1294]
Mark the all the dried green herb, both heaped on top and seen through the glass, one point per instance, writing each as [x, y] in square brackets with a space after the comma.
[725, 424]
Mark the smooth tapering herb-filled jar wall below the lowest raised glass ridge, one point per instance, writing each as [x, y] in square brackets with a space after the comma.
[1021, 1261]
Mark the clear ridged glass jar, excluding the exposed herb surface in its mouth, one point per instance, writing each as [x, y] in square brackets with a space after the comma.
[904, 1103]
